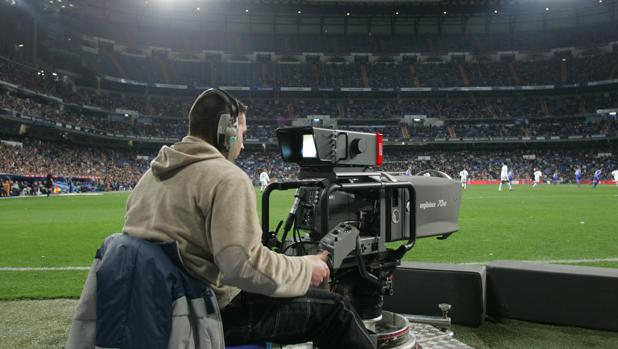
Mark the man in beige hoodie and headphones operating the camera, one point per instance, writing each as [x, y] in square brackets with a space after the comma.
[195, 195]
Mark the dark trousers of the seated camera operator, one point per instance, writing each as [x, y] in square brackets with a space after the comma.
[323, 317]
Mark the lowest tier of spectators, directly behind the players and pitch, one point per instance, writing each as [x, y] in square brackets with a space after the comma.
[23, 168]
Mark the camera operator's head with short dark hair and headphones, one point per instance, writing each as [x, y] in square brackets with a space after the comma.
[219, 119]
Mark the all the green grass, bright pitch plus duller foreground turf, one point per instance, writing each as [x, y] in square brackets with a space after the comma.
[46, 246]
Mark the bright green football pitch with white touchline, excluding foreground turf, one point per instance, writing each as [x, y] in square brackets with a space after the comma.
[45, 243]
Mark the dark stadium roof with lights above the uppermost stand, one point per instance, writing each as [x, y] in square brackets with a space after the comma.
[328, 16]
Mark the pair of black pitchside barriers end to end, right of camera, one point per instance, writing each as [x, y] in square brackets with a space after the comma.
[546, 293]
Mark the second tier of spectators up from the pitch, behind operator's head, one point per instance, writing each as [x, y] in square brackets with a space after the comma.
[263, 123]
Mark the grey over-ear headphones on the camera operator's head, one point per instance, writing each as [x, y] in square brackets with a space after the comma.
[227, 128]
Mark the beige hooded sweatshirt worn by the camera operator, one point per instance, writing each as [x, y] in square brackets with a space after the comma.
[193, 195]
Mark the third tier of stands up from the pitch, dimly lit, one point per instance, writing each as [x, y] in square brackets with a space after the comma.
[439, 72]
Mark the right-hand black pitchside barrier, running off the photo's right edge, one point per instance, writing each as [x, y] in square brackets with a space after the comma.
[554, 294]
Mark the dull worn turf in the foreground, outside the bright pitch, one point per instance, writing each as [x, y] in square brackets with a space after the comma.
[49, 321]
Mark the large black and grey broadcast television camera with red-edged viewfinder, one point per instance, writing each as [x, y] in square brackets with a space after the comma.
[343, 206]
